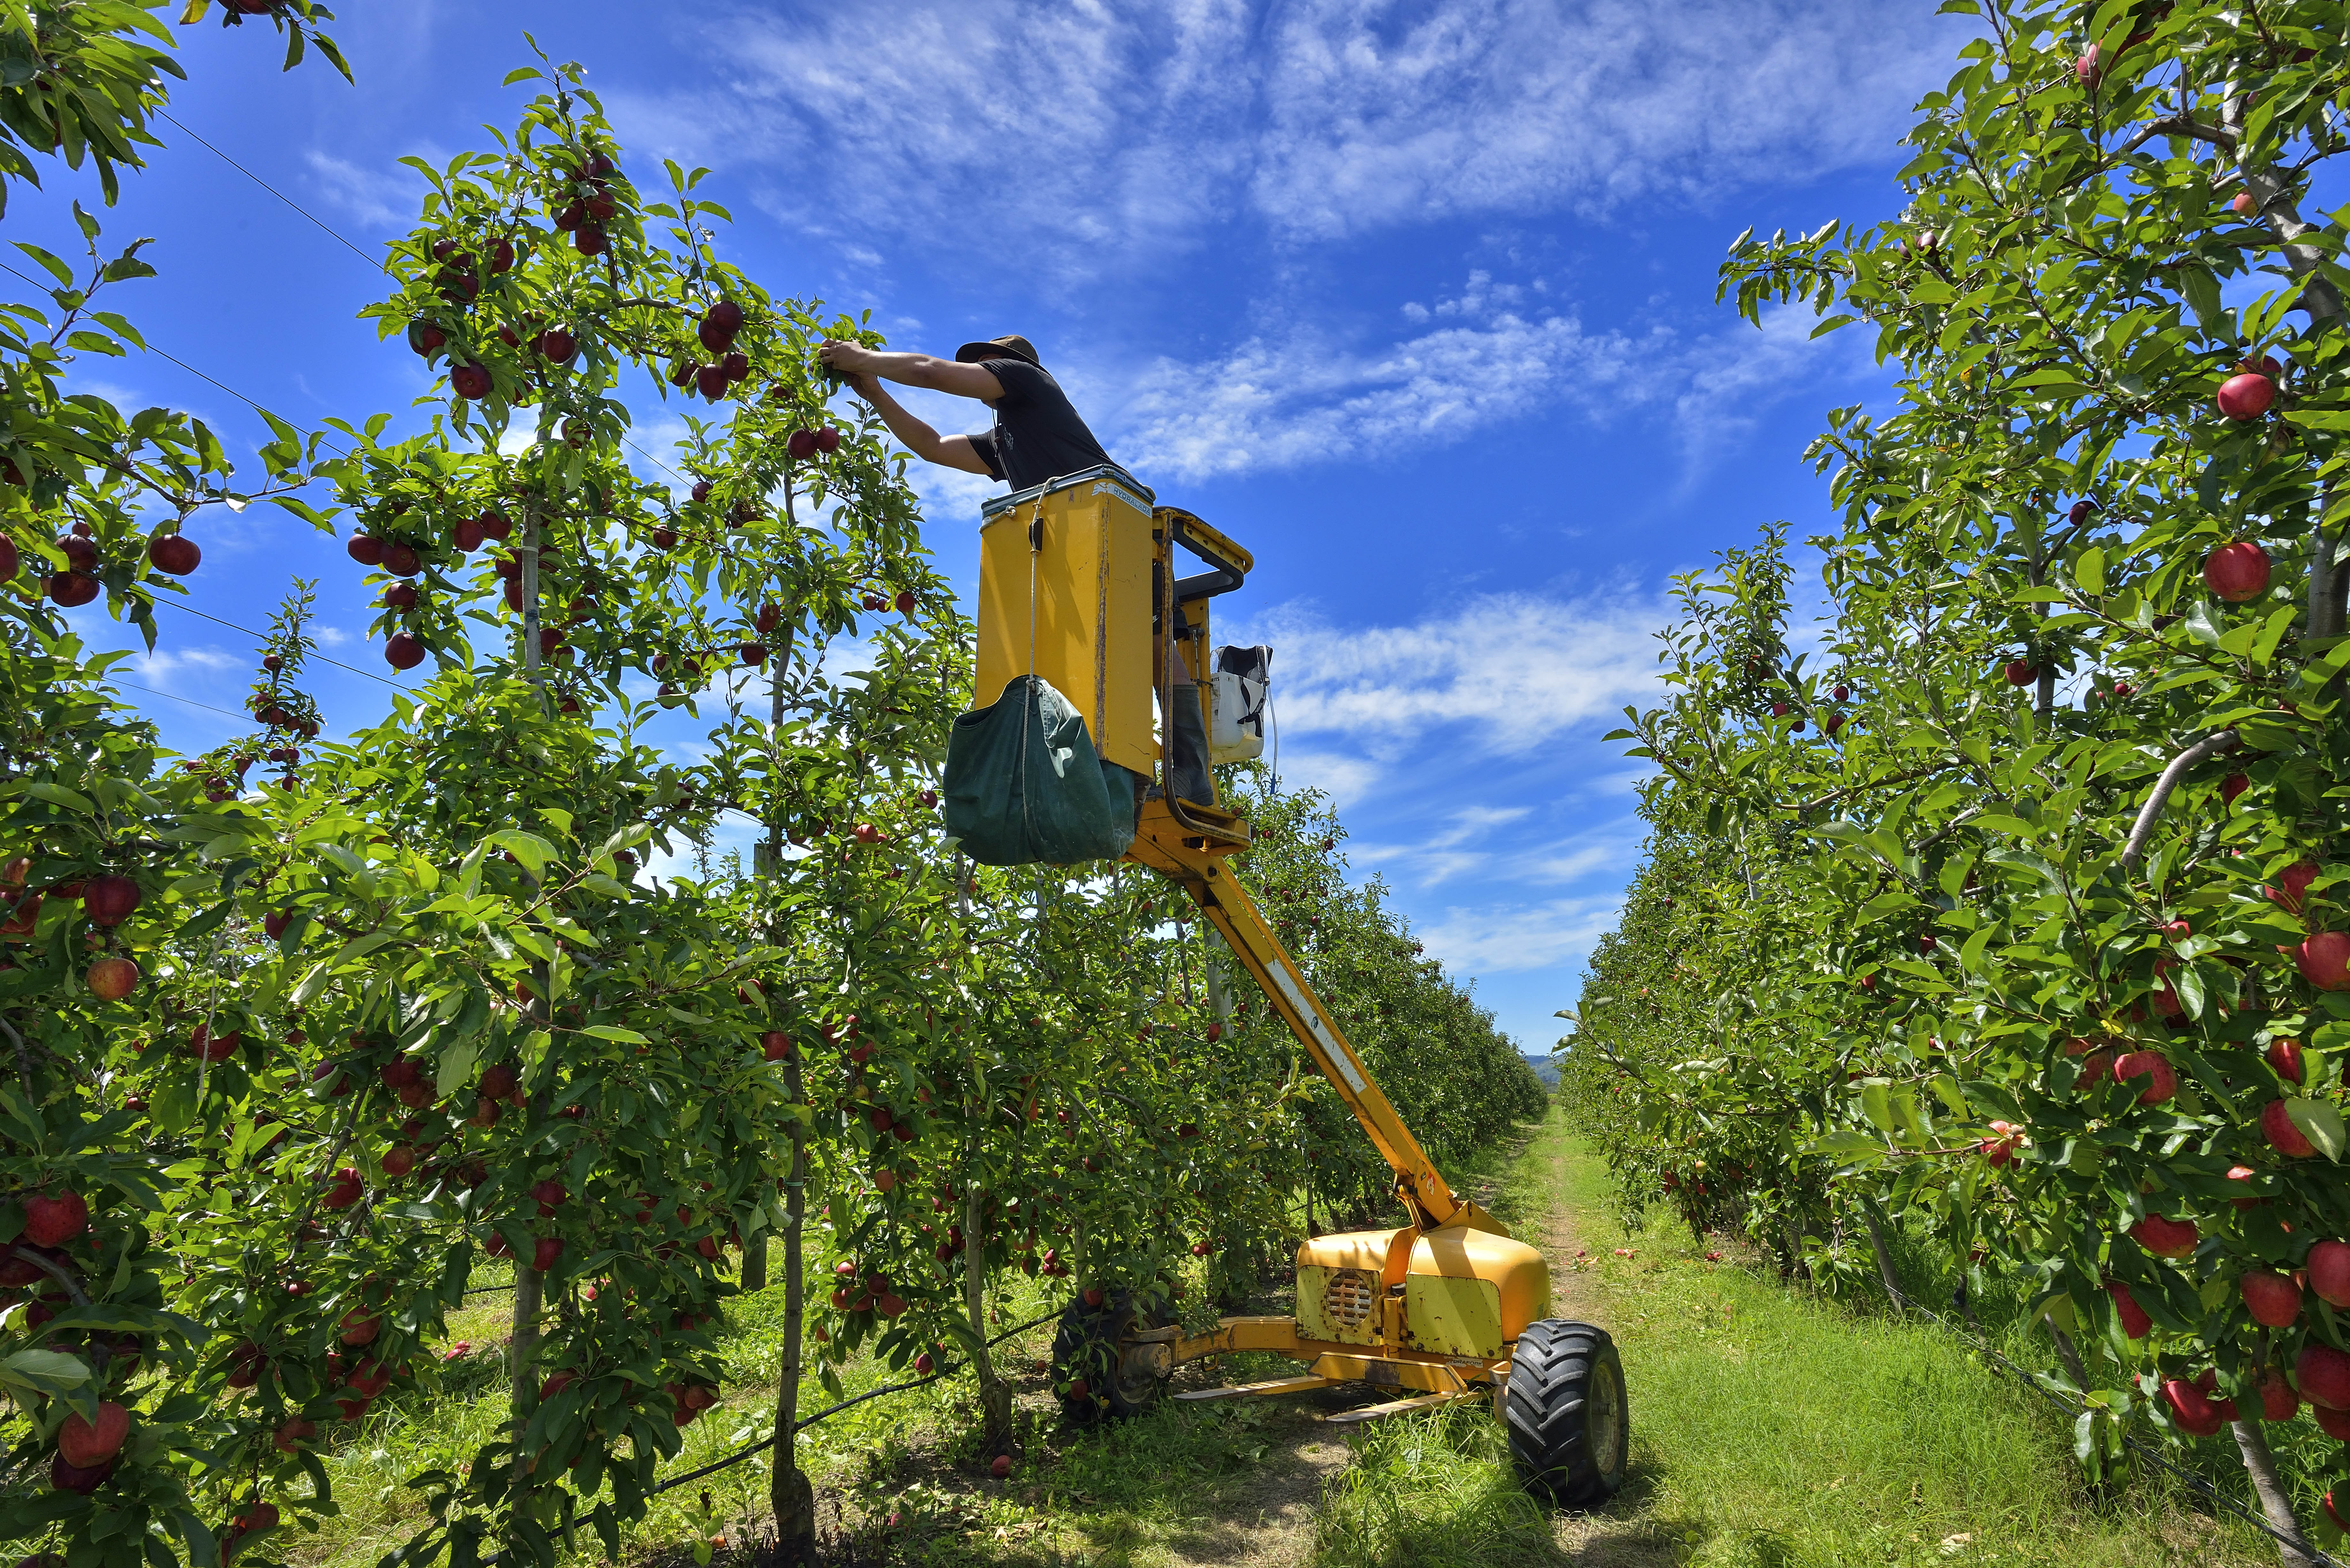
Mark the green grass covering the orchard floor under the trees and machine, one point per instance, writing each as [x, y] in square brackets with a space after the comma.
[1771, 1430]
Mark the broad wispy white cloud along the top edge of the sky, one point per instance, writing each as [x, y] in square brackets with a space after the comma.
[1101, 130]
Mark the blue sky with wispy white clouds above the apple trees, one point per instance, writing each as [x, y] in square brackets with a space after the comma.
[1411, 300]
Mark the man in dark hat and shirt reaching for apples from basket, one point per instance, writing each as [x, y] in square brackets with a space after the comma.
[1038, 434]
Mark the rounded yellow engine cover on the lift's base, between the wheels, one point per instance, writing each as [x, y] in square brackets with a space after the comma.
[1468, 1292]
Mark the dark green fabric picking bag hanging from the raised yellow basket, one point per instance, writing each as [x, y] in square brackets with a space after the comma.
[1026, 786]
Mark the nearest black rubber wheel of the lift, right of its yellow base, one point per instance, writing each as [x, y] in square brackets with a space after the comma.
[1566, 1414]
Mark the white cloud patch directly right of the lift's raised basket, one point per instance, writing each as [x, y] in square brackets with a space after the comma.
[1498, 674]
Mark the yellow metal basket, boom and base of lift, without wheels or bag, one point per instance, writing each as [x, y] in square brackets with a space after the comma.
[1446, 1285]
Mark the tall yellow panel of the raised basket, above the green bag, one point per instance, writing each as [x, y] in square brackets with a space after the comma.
[1077, 610]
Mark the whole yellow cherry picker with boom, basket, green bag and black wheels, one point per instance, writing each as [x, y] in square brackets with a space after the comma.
[1085, 634]
